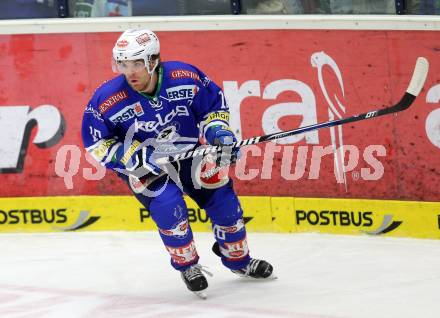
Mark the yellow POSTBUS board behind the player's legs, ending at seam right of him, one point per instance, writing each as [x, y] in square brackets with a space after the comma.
[109, 213]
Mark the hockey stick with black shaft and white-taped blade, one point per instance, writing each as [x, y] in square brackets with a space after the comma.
[414, 88]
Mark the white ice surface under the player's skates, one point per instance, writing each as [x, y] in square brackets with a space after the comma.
[120, 274]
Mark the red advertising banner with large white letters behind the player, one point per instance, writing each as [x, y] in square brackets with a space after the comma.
[273, 80]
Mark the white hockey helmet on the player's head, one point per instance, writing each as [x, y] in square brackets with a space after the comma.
[136, 44]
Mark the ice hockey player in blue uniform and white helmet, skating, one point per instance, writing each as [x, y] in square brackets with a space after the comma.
[150, 102]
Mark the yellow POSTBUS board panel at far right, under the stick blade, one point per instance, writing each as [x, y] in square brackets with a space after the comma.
[372, 217]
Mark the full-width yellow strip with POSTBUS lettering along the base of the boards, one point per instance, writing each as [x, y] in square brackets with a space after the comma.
[261, 214]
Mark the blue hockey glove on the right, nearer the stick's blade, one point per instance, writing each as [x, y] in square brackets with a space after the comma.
[221, 135]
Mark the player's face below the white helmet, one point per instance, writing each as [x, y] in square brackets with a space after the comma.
[136, 74]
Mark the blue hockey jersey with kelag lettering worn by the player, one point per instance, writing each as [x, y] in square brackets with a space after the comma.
[118, 119]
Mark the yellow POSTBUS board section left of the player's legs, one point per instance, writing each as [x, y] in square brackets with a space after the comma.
[92, 213]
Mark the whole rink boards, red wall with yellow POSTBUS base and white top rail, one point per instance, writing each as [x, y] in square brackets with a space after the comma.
[50, 185]
